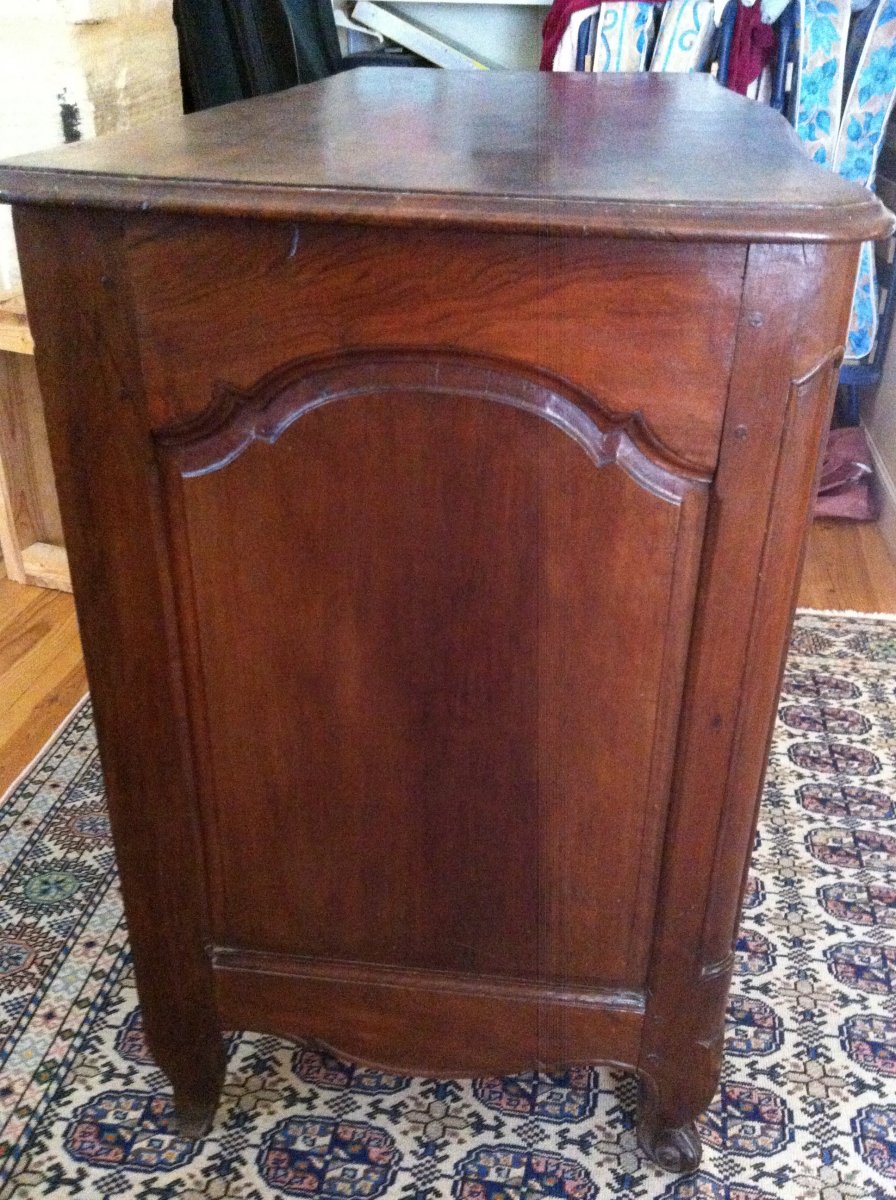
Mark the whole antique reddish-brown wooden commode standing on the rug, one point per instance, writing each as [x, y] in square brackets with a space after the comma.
[435, 454]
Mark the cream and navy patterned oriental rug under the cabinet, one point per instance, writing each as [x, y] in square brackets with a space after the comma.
[808, 1106]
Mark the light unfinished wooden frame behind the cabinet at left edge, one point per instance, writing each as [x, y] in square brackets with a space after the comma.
[31, 529]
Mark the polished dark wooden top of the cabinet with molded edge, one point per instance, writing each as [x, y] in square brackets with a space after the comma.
[621, 155]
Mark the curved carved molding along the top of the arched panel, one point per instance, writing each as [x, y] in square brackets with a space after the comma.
[263, 413]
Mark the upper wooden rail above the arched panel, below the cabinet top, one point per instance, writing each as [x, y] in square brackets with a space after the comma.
[648, 327]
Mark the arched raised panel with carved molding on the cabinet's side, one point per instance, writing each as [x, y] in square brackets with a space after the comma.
[450, 598]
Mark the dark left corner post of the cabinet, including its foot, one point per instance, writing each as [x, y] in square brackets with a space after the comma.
[92, 386]
